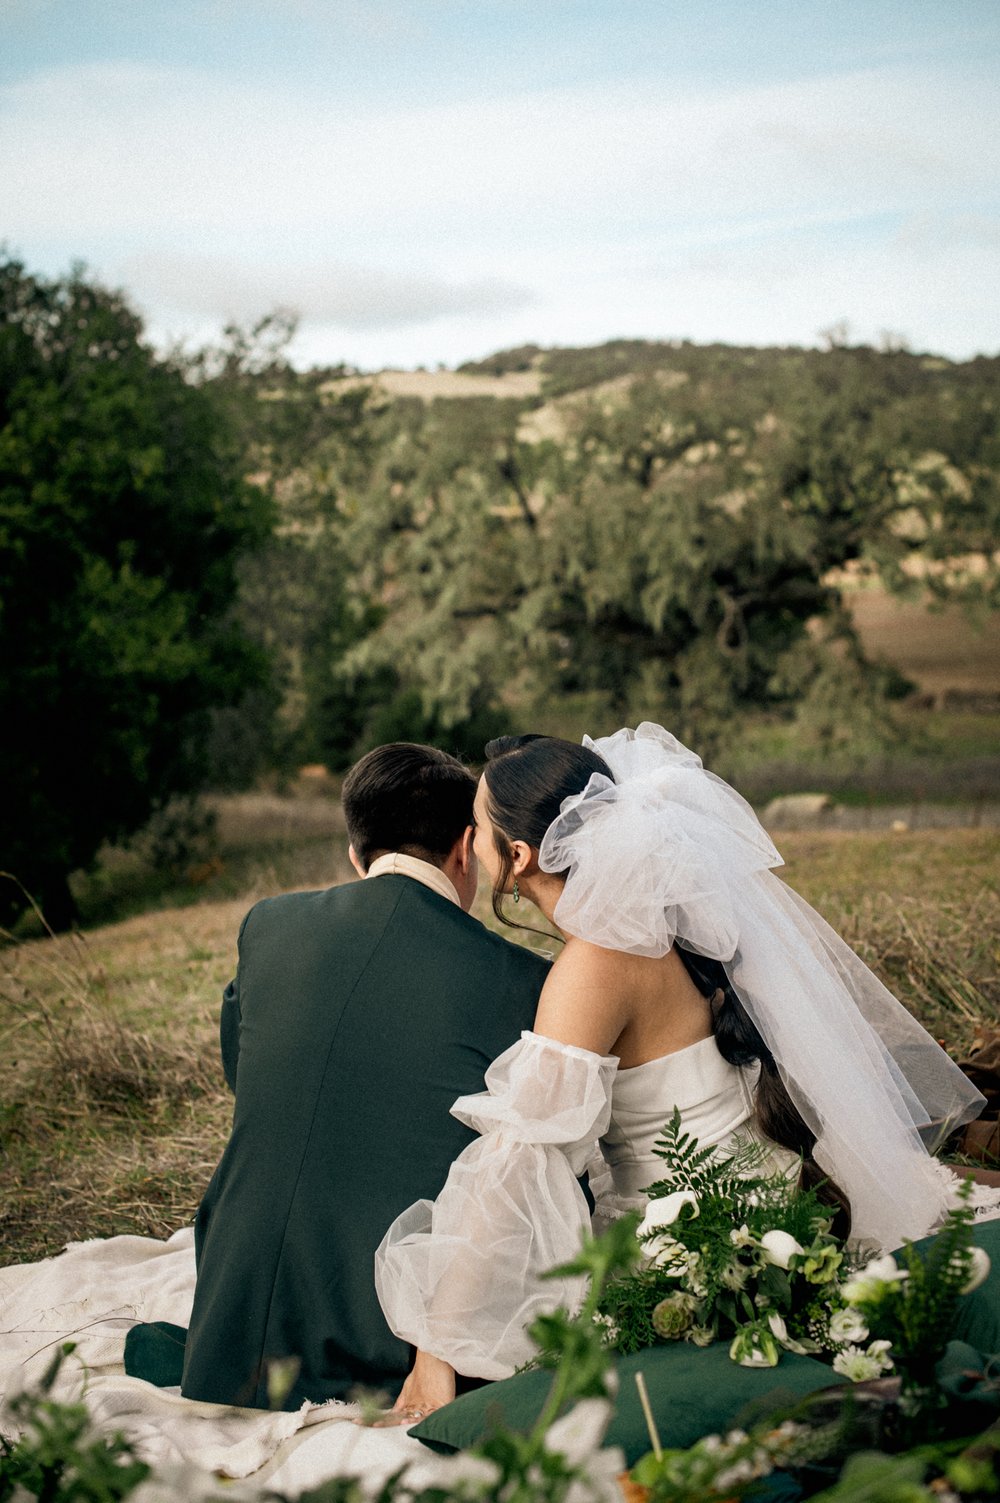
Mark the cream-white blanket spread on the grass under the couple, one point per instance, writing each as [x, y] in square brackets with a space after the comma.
[92, 1293]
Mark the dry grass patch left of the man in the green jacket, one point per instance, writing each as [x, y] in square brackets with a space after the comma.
[115, 1110]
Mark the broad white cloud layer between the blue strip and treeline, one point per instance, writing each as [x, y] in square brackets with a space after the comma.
[745, 213]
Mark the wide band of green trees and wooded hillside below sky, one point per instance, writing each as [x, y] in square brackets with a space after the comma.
[659, 531]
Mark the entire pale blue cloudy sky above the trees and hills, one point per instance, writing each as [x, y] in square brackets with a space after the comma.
[431, 181]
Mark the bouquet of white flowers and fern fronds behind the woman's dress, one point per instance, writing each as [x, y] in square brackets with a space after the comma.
[738, 1254]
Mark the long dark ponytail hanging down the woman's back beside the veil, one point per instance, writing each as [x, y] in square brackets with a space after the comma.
[741, 1042]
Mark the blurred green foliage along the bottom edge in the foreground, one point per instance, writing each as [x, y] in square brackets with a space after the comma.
[61, 1459]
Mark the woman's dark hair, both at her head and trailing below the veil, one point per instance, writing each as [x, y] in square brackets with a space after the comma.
[527, 779]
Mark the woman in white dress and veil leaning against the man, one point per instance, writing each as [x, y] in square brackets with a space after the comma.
[691, 978]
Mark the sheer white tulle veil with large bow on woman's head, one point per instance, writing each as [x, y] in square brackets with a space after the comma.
[670, 853]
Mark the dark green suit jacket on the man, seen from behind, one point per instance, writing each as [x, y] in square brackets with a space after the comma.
[357, 1017]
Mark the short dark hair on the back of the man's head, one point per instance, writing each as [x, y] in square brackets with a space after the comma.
[411, 799]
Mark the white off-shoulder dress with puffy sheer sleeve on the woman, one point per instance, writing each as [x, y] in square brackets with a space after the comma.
[461, 1277]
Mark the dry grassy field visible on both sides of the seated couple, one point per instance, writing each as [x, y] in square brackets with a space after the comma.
[115, 1111]
